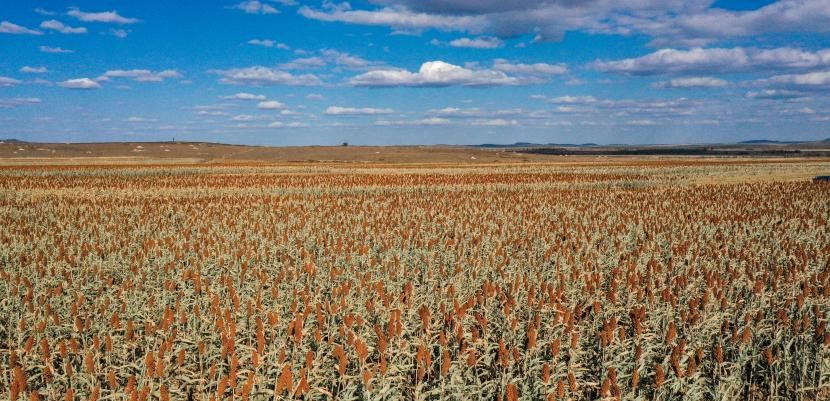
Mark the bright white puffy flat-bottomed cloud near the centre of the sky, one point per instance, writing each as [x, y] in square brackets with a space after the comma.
[434, 74]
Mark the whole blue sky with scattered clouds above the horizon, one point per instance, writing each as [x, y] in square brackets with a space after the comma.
[383, 72]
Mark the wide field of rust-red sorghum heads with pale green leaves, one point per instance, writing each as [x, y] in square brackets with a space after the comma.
[617, 278]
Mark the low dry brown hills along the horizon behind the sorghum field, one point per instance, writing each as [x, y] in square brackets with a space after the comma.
[28, 153]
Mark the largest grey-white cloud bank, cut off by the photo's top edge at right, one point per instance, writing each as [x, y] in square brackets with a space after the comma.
[680, 21]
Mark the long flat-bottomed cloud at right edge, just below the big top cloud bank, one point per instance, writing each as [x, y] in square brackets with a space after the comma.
[716, 60]
